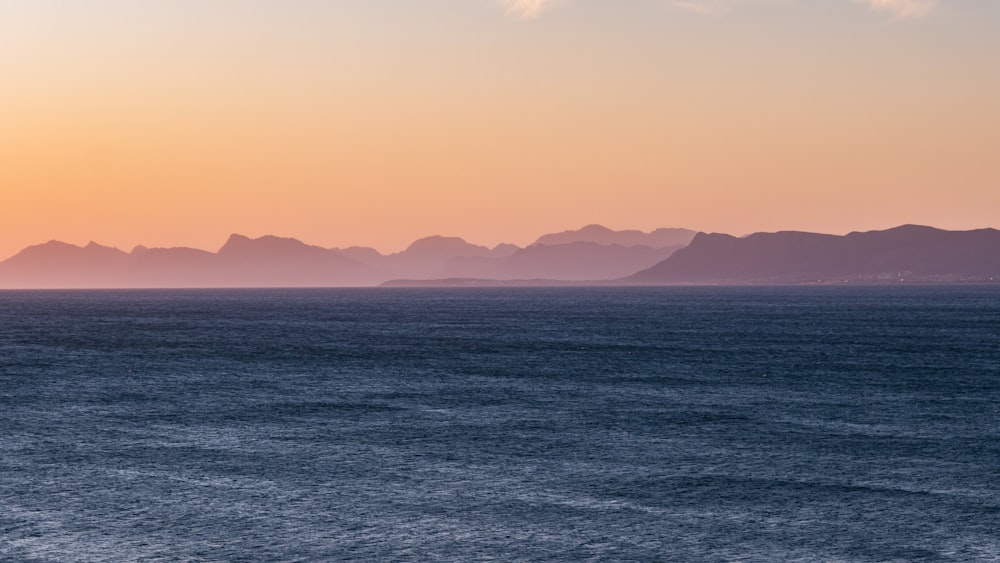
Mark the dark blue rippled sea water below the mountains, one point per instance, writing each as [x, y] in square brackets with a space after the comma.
[855, 424]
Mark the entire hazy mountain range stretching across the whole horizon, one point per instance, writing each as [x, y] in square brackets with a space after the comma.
[592, 255]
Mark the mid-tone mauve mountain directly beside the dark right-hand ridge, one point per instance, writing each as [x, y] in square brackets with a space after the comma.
[576, 261]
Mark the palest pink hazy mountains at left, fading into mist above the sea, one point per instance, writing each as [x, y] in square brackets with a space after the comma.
[268, 261]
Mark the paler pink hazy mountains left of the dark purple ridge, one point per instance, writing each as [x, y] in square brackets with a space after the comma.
[593, 253]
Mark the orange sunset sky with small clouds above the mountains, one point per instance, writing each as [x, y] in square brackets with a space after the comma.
[375, 122]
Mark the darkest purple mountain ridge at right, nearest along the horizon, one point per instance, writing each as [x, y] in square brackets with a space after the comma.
[907, 253]
